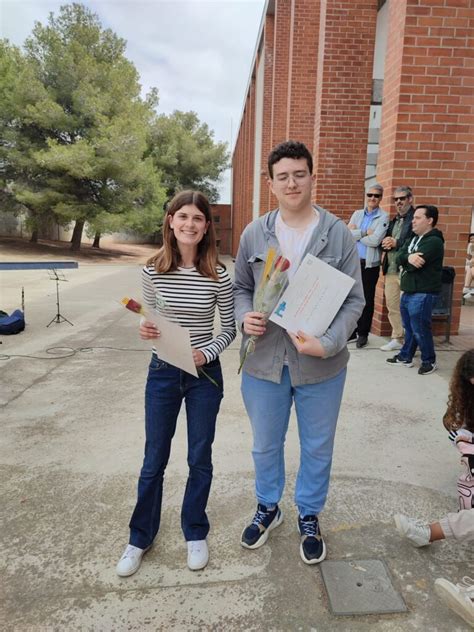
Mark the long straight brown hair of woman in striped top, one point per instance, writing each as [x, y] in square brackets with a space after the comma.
[168, 257]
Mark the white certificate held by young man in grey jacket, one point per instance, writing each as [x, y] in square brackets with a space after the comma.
[313, 297]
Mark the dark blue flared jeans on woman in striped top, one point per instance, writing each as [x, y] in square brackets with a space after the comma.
[166, 388]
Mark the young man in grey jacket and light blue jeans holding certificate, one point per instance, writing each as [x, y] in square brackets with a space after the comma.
[284, 369]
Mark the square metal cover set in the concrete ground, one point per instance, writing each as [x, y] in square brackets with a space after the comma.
[360, 587]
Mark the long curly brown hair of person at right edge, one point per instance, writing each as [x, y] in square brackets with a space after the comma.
[460, 411]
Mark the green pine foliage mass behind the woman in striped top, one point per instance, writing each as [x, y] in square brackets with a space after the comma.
[79, 145]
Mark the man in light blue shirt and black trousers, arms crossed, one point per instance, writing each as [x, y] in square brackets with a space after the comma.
[368, 227]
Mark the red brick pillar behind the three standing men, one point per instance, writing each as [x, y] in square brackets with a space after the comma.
[427, 133]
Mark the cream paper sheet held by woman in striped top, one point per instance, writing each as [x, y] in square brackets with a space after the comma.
[174, 344]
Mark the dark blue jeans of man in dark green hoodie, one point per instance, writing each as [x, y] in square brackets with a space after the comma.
[416, 310]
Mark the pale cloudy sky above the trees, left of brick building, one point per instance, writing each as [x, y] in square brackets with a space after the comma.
[197, 53]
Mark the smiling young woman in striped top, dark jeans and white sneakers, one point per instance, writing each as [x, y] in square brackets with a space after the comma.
[188, 278]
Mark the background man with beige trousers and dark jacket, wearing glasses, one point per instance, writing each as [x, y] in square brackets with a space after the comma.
[399, 231]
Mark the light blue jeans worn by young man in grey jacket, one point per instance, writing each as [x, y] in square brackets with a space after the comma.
[317, 408]
